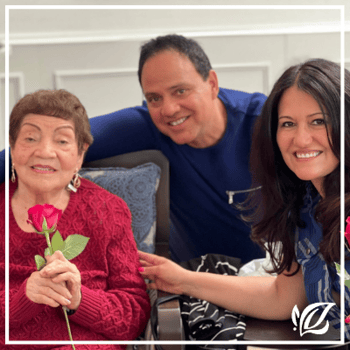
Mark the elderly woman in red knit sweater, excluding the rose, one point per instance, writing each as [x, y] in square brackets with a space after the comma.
[102, 289]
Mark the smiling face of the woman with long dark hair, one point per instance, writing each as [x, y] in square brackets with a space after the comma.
[302, 137]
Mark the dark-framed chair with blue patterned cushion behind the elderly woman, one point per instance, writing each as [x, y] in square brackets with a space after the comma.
[142, 180]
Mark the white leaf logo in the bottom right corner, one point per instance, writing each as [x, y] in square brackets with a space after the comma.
[306, 317]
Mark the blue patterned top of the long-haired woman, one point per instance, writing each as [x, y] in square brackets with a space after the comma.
[319, 278]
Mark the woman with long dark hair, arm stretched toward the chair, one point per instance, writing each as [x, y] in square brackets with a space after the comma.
[296, 158]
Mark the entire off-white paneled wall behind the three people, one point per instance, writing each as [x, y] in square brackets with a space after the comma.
[94, 53]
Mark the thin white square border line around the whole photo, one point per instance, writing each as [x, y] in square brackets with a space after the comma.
[150, 7]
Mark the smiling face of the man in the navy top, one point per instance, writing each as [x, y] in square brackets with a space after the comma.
[181, 104]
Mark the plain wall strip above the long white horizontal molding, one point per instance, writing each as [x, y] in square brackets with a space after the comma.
[68, 21]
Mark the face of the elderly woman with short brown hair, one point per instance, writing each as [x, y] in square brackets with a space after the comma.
[45, 154]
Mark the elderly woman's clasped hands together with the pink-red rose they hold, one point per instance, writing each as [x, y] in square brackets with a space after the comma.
[58, 282]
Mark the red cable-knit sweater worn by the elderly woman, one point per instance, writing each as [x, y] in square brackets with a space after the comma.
[114, 304]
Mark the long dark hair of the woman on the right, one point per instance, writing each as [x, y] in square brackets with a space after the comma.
[277, 207]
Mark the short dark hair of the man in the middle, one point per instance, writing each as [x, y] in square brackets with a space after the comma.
[173, 42]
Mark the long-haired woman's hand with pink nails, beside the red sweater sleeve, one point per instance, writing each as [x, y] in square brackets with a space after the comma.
[165, 274]
